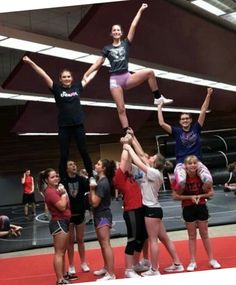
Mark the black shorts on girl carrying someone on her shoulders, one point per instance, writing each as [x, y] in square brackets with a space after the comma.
[195, 213]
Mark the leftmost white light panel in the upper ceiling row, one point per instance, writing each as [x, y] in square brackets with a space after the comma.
[23, 45]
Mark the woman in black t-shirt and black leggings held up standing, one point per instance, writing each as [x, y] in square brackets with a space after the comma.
[70, 117]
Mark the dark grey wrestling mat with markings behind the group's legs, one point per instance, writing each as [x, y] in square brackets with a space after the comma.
[35, 232]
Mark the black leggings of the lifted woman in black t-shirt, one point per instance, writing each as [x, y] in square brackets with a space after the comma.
[65, 134]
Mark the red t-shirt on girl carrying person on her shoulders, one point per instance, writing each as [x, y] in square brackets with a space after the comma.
[193, 187]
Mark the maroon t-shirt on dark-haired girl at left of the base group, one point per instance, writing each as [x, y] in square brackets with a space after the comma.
[51, 198]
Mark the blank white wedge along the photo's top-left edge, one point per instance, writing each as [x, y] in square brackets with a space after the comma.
[25, 5]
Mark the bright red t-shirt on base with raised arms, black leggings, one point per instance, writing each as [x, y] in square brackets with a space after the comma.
[128, 186]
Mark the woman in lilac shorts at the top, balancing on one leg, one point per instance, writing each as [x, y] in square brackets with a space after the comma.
[120, 79]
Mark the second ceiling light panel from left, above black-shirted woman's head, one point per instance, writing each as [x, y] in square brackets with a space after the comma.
[64, 53]
